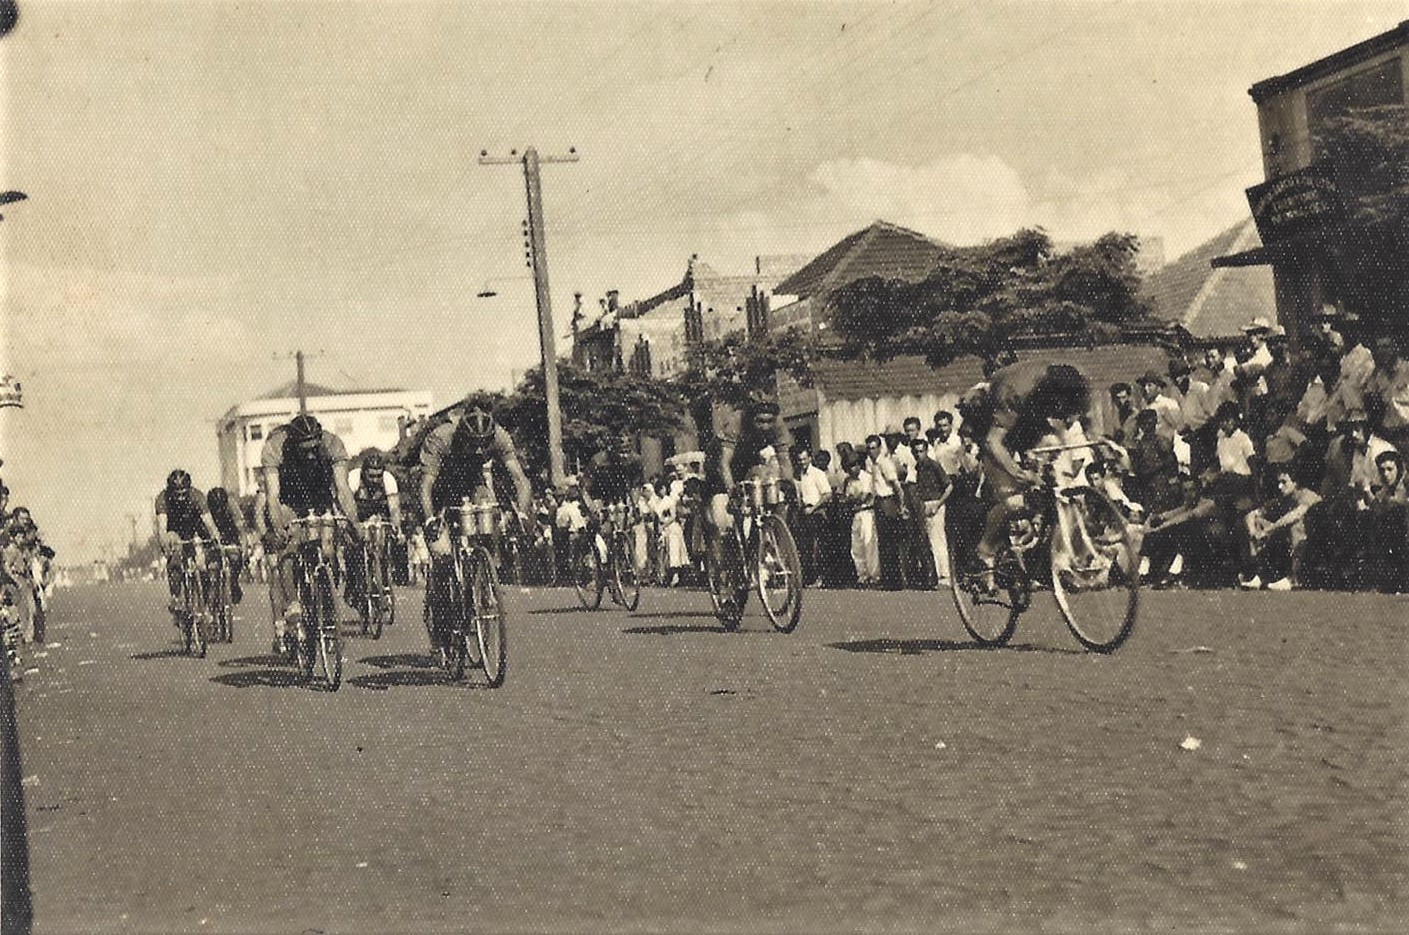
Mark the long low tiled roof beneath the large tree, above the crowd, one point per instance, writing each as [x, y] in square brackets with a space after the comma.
[912, 377]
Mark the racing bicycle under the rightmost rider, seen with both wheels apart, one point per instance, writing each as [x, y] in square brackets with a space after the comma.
[1072, 540]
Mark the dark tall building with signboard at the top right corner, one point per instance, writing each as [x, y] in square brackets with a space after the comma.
[1300, 199]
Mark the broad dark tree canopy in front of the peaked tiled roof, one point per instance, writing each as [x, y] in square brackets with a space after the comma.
[979, 299]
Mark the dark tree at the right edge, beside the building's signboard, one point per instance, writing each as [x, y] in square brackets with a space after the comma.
[1369, 251]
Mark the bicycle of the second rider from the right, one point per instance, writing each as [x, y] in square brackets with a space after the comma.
[759, 554]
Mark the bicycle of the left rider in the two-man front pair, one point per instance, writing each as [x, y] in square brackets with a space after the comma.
[319, 643]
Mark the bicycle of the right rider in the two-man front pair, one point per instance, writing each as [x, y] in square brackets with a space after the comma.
[476, 632]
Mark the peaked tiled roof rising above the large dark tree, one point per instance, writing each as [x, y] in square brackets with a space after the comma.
[883, 250]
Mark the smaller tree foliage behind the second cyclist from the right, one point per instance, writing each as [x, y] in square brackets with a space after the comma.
[732, 370]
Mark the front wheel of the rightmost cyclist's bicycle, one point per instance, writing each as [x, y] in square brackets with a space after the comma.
[1098, 584]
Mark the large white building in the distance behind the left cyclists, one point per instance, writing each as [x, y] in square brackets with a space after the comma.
[361, 419]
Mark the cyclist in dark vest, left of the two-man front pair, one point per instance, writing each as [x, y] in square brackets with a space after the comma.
[305, 472]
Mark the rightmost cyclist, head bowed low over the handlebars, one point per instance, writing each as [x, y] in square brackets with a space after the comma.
[1022, 405]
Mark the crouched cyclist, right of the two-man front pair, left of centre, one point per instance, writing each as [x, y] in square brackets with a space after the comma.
[454, 458]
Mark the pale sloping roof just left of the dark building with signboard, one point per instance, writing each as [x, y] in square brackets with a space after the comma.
[1214, 303]
